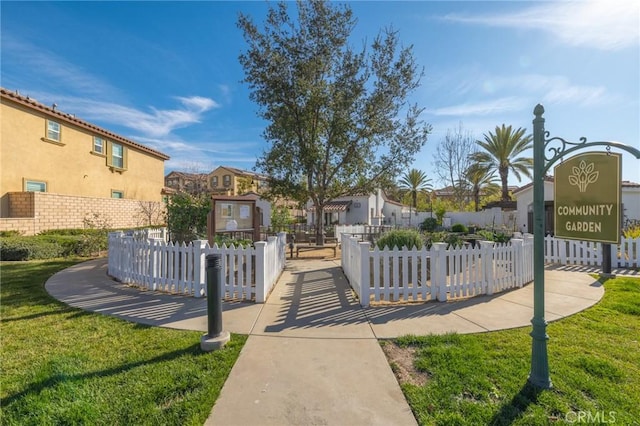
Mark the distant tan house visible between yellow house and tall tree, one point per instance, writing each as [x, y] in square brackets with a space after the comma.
[231, 181]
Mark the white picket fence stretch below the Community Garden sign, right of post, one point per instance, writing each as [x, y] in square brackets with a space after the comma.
[570, 252]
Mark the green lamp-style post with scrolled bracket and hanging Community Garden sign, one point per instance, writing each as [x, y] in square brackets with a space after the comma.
[586, 208]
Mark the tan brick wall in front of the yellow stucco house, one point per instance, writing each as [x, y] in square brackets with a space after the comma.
[34, 212]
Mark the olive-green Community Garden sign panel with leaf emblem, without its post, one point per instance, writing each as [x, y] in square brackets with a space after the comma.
[587, 198]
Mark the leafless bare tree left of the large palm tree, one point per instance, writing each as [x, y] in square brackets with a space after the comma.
[451, 161]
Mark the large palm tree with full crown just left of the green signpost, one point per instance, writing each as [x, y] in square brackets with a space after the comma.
[503, 149]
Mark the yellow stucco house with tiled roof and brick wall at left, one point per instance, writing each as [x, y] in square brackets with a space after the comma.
[58, 170]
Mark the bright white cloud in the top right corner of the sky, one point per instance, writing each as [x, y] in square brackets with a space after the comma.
[606, 25]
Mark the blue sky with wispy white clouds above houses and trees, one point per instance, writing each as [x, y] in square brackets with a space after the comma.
[166, 74]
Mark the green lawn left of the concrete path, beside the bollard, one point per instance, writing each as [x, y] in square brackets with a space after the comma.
[62, 365]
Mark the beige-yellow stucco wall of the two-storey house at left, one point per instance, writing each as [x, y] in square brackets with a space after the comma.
[69, 169]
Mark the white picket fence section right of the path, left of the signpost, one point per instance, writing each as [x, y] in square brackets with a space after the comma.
[438, 273]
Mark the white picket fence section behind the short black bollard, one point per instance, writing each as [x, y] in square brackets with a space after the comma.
[153, 264]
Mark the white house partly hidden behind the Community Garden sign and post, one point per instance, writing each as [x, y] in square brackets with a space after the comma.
[524, 198]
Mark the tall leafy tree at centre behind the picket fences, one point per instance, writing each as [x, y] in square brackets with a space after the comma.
[338, 118]
